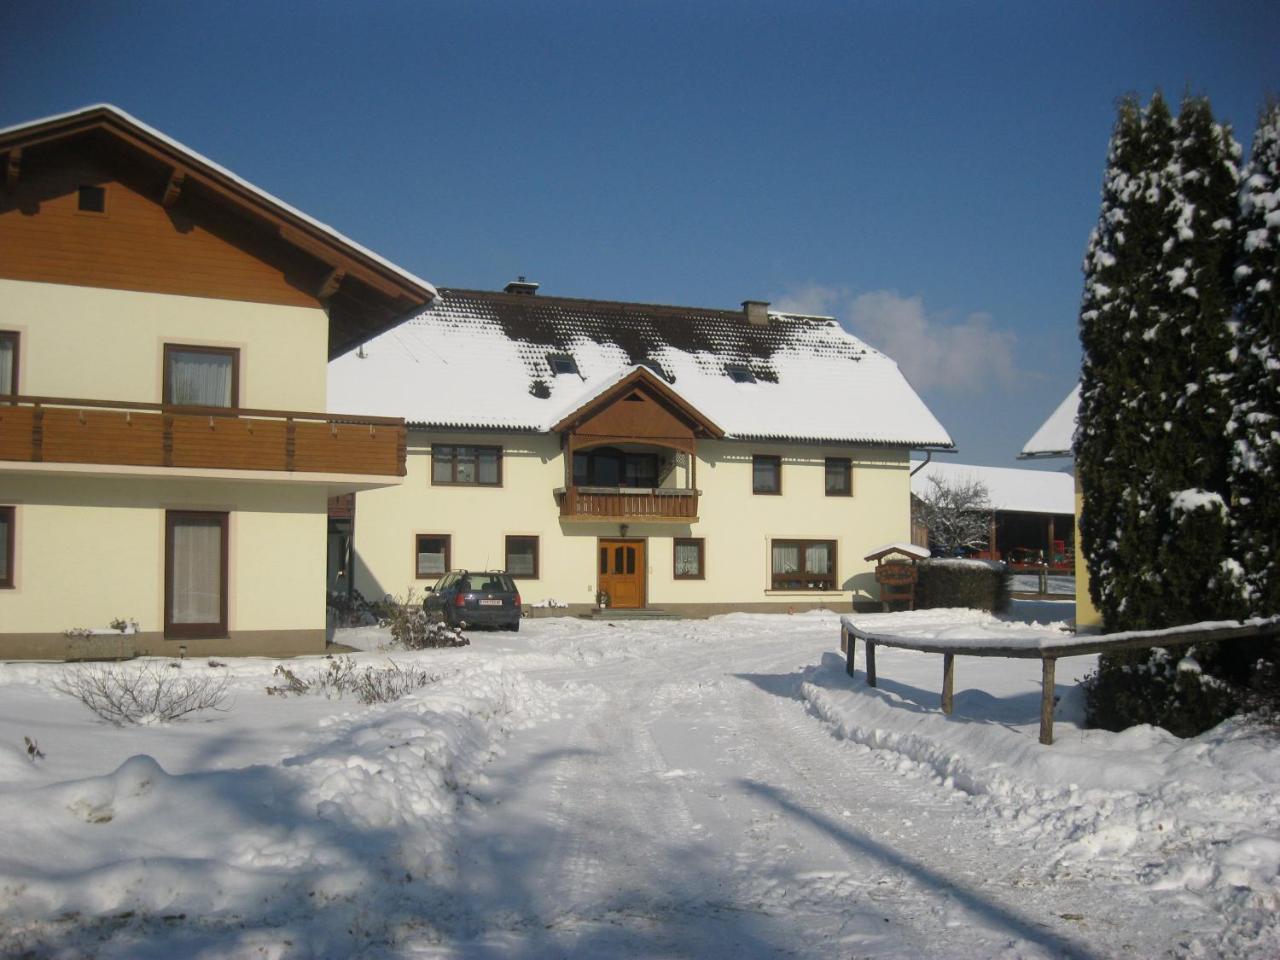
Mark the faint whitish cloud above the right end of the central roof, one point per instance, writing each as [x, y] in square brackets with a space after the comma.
[935, 353]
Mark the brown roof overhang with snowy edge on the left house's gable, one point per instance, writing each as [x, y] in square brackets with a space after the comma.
[364, 292]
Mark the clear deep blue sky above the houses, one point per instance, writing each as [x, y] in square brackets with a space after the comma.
[927, 173]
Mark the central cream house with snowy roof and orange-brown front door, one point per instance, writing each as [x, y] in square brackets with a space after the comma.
[648, 456]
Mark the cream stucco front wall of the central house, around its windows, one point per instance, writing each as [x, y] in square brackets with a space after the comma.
[735, 524]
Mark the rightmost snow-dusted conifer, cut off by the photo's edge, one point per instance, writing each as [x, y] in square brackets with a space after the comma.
[1256, 420]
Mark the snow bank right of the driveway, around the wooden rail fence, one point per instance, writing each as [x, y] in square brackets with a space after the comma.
[1200, 817]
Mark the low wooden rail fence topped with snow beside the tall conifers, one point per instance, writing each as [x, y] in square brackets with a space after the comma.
[1049, 652]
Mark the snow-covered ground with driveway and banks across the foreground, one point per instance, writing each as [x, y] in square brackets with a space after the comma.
[711, 789]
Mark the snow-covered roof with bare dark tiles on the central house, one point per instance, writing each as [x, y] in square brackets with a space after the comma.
[479, 360]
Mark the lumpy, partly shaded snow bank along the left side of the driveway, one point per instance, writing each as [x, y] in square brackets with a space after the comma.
[340, 843]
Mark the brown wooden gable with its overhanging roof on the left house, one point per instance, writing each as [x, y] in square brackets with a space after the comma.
[176, 223]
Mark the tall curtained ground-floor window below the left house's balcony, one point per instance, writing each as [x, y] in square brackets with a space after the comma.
[195, 596]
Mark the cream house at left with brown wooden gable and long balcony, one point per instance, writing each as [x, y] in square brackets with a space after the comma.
[164, 336]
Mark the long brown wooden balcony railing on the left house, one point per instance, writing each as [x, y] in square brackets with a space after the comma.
[60, 431]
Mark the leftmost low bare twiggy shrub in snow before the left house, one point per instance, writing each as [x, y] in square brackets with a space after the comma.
[143, 694]
